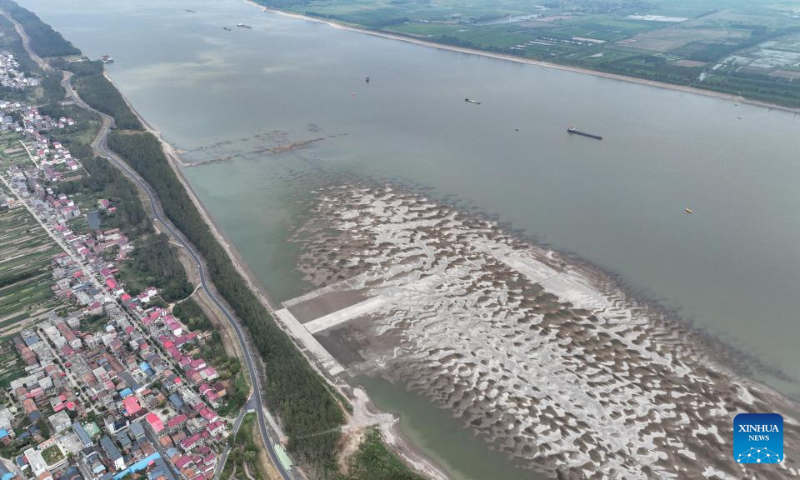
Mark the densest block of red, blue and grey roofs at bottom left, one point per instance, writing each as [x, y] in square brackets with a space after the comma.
[114, 400]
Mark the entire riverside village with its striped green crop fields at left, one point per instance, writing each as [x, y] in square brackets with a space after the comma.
[102, 381]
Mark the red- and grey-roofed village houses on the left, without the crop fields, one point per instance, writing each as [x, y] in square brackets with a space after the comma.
[117, 386]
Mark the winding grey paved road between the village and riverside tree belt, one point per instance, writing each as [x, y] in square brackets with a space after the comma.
[100, 147]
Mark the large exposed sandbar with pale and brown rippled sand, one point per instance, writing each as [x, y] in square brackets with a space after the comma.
[544, 358]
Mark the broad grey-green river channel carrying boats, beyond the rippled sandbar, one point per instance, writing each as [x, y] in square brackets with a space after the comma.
[732, 268]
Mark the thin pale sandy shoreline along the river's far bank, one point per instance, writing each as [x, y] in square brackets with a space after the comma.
[528, 61]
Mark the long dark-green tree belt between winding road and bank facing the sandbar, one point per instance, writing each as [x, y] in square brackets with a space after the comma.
[292, 389]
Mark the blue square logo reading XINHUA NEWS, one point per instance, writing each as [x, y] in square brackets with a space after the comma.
[758, 438]
